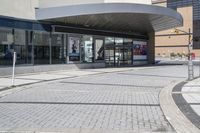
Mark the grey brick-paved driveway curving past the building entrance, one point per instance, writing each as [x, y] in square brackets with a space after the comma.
[117, 101]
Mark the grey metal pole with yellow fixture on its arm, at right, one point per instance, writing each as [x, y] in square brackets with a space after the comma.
[190, 63]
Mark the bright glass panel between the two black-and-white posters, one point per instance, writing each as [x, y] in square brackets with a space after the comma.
[87, 49]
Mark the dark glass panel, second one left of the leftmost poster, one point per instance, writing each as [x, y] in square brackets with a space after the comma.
[41, 48]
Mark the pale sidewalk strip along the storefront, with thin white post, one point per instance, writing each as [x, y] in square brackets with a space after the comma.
[30, 78]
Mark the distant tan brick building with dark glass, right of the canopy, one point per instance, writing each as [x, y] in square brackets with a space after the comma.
[167, 42]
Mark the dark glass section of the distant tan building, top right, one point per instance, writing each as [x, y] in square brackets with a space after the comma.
[174, 4]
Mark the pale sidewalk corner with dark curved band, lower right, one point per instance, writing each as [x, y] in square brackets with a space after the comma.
[186, 96]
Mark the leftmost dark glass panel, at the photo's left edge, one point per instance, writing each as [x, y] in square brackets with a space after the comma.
[6, 46]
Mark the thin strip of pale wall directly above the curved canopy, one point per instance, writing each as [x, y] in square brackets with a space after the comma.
[55, 3]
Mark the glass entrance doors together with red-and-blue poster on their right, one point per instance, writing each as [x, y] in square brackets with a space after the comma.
[121, 51]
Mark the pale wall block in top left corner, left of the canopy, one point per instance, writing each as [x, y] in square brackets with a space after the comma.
[24, 9]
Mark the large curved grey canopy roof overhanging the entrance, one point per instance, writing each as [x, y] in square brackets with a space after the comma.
[120, 17]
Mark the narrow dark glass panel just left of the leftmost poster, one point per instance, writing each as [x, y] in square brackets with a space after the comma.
[57, 49]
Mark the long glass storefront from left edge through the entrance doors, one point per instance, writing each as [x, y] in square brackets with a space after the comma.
[35, 45]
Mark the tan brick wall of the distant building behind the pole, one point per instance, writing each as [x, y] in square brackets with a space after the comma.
[167, 41]
